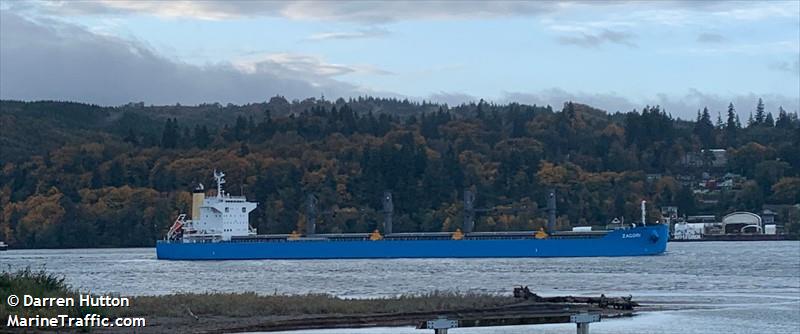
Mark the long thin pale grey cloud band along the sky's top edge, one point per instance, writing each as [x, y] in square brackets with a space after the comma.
[357, 11]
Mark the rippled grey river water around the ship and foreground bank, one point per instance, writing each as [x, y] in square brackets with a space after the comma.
[727, 287]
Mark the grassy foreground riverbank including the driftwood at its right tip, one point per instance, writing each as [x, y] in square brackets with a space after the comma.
[249, 312]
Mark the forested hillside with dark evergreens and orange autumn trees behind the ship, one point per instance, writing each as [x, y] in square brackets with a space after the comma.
[76, 175]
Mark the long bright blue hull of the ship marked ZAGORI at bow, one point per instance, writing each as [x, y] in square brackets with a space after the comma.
[650, 240]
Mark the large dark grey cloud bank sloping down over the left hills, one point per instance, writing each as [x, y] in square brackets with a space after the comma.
[53, 60]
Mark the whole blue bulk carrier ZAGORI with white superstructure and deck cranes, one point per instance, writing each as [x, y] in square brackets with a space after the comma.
[219, 229]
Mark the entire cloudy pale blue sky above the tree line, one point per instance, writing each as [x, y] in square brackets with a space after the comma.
[616, 55]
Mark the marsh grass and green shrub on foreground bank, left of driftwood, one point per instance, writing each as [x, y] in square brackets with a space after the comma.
[239, 305]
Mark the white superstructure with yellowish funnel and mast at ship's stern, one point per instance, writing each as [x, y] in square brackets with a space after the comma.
[218, 218]
